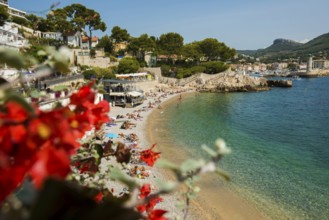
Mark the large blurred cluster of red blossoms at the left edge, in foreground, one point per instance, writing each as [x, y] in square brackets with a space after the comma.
[40, 143]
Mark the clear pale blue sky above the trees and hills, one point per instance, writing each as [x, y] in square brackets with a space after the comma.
[241, 24]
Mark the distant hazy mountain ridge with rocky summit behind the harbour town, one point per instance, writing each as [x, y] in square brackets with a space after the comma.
[284, 48]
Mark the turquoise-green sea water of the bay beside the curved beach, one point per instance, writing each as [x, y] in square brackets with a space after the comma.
[280, 143]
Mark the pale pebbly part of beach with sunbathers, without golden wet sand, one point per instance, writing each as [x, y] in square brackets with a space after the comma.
[139, 116]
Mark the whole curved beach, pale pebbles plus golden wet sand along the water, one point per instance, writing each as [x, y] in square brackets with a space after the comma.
[213, 202]
